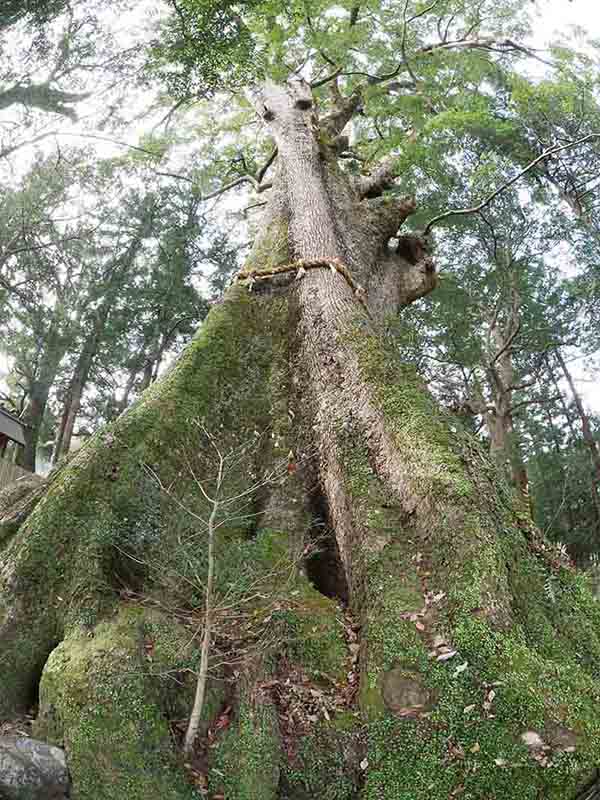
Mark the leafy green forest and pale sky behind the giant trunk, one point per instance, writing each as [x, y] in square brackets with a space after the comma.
[116, 234]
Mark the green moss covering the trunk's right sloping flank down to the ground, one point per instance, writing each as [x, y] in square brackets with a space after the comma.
[523, 628]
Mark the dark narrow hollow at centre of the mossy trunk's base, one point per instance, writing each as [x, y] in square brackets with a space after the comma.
[323, 565]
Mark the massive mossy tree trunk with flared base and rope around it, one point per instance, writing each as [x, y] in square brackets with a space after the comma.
[388, 625]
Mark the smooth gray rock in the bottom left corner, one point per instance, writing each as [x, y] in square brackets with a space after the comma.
[32, 770]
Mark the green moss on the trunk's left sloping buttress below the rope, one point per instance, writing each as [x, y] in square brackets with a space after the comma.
[103, 510]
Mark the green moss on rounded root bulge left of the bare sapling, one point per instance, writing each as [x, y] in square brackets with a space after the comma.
[103, 699]
